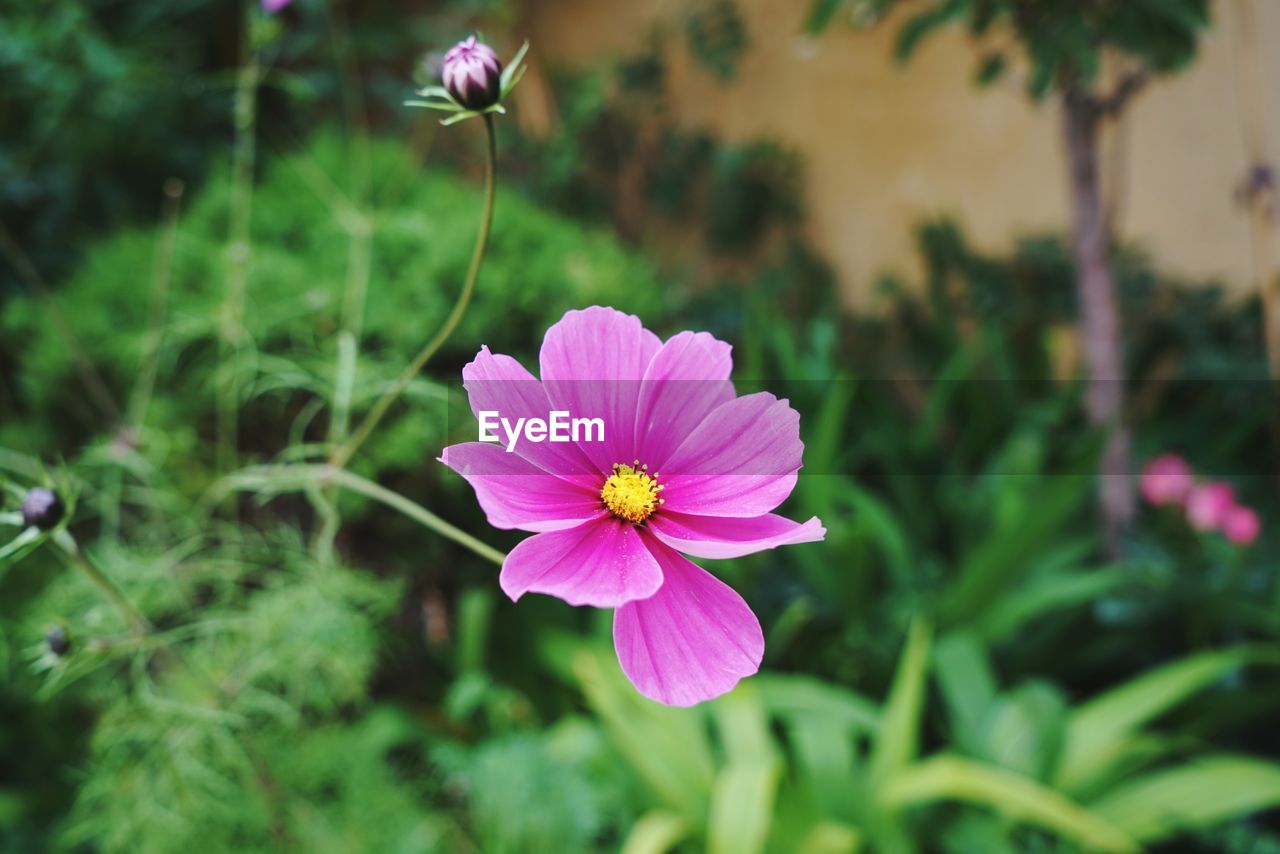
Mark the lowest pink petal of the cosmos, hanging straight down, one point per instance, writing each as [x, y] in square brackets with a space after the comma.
[691, 642]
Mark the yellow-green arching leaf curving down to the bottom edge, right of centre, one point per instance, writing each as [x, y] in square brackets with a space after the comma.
[1009, 794]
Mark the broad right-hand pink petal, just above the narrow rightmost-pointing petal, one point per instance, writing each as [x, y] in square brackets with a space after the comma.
[740, 462]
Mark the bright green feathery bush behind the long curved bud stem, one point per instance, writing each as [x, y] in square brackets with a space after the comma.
[422, 227]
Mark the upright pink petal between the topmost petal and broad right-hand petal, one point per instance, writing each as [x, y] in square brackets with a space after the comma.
[683, 385]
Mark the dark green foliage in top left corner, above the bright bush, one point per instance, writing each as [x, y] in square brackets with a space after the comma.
[106, 102]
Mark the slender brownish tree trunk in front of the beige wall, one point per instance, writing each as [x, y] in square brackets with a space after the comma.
[1100, 317]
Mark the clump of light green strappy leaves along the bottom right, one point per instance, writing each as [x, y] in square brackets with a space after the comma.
[787, 762]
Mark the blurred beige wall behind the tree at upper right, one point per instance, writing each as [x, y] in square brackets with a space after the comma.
[888, 147]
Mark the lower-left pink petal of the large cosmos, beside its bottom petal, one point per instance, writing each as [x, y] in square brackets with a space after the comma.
[601, 564]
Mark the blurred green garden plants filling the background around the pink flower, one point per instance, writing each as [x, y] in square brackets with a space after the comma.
[964, 665]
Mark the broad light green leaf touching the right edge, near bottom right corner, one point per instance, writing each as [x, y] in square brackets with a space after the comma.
[1194, 796]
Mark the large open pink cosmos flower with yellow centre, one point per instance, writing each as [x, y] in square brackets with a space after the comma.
[685, 467]
